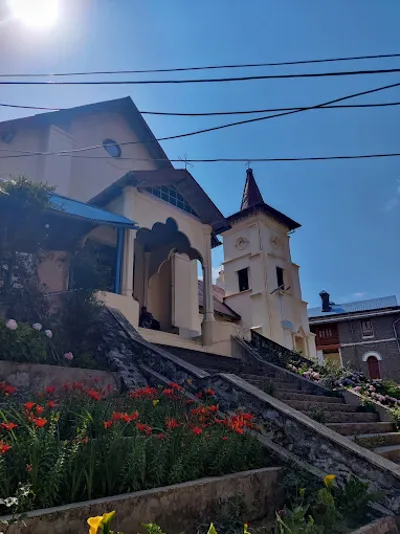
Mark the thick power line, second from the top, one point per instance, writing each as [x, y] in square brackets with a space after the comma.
[208, 80]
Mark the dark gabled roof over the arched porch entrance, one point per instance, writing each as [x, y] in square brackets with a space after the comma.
[184, 182]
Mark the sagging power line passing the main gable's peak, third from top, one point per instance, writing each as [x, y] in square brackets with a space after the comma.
[216, 113]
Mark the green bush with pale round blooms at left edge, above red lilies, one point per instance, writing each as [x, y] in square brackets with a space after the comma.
[25, 344]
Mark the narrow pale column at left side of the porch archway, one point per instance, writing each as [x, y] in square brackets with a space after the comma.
[129, 239]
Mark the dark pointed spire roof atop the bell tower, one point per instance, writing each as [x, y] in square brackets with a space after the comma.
[252, 202]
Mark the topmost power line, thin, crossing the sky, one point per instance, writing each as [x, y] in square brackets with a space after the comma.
[207, 67]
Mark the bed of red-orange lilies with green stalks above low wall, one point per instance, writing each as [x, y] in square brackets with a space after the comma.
[92, 443]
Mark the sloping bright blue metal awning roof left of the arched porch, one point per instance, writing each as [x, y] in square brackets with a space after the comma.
[78, 209]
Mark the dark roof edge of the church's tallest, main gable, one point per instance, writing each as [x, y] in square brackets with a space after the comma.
[125, 106]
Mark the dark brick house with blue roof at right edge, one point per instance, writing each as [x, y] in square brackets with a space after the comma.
[365, 334]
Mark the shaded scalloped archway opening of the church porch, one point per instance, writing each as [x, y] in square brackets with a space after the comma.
[165, 277]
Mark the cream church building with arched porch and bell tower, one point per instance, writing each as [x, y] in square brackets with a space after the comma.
[105, 156]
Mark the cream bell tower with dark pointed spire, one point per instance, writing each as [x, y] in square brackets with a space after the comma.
[261, 281]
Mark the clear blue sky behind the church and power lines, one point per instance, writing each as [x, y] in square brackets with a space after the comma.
[350, 210]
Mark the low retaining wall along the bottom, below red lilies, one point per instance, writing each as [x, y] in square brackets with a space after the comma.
[178, 508]
